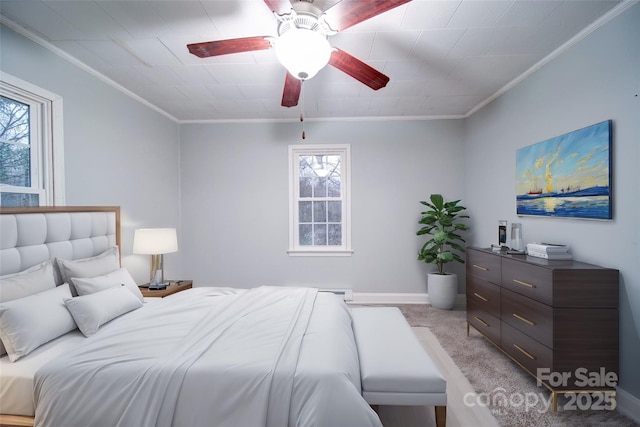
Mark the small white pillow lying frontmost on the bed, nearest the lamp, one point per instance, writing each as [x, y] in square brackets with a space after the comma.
[94, 310]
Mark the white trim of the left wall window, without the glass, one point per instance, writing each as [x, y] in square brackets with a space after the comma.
[52, 138]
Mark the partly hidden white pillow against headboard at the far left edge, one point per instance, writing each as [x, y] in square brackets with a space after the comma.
[28, 282]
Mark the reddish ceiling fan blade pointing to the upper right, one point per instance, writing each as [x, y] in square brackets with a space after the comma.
[351, 12]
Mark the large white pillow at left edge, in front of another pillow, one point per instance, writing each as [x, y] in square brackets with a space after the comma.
[27, 323]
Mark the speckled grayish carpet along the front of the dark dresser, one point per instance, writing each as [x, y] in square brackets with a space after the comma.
[511, 394]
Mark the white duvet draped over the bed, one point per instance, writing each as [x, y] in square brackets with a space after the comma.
[268, 356]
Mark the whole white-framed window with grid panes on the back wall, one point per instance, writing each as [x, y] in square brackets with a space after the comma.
[319, 200]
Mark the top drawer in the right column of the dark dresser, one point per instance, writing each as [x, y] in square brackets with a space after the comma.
[529, 280]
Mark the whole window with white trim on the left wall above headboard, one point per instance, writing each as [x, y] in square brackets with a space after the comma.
[31, 151]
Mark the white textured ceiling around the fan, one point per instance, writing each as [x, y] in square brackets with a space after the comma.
[445, 58]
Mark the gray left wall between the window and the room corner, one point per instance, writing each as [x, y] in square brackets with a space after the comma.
[117, 151]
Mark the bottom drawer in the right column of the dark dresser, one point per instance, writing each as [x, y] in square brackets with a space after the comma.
[525, 350]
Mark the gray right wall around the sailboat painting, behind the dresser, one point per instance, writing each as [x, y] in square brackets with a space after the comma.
[597, 79]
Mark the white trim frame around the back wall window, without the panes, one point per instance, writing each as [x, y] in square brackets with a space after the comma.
[294, 152]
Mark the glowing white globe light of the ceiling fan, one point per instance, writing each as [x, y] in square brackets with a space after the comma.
[303, 52]
